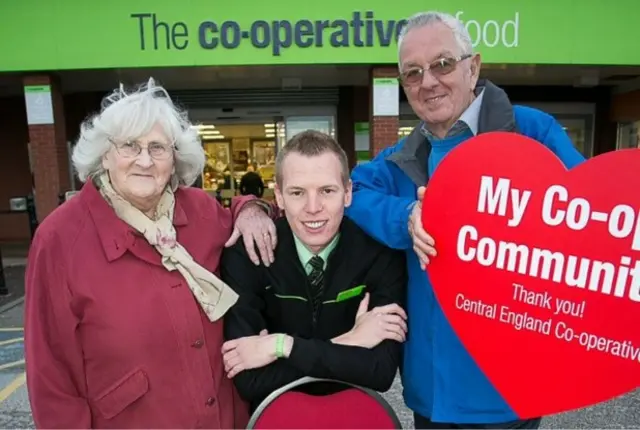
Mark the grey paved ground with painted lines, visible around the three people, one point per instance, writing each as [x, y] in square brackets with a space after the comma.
[15, 413]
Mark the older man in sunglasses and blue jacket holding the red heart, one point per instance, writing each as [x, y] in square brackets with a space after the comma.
[439, 72]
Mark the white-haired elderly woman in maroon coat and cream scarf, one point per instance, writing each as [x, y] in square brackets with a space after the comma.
[123, 305]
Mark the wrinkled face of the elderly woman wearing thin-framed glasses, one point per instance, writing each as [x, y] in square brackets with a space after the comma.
[141, 169]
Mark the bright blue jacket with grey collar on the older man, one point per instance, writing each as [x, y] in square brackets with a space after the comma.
[440, 379]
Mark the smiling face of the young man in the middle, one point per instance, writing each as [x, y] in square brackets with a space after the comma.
[313, 197]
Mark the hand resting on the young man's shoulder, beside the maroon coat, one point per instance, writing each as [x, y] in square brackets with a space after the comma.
[256, 229]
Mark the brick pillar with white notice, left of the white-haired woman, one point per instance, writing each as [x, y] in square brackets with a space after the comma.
[48, 141]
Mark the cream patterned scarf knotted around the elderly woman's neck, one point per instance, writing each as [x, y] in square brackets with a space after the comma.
[212, 293]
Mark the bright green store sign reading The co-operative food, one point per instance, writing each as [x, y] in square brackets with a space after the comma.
[81, 34]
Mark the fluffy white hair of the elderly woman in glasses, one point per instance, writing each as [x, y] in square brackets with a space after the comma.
[131, 115]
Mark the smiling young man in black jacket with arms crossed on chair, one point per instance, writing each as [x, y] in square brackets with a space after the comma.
[330, 306]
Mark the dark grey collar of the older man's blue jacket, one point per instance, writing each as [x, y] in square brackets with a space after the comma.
[496, 114]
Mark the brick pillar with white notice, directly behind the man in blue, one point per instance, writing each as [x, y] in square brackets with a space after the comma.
[383, 129]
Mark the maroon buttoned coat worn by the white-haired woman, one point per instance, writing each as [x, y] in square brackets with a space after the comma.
[113, 339]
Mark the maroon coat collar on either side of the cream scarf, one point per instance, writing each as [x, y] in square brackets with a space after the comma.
[115, 235]
